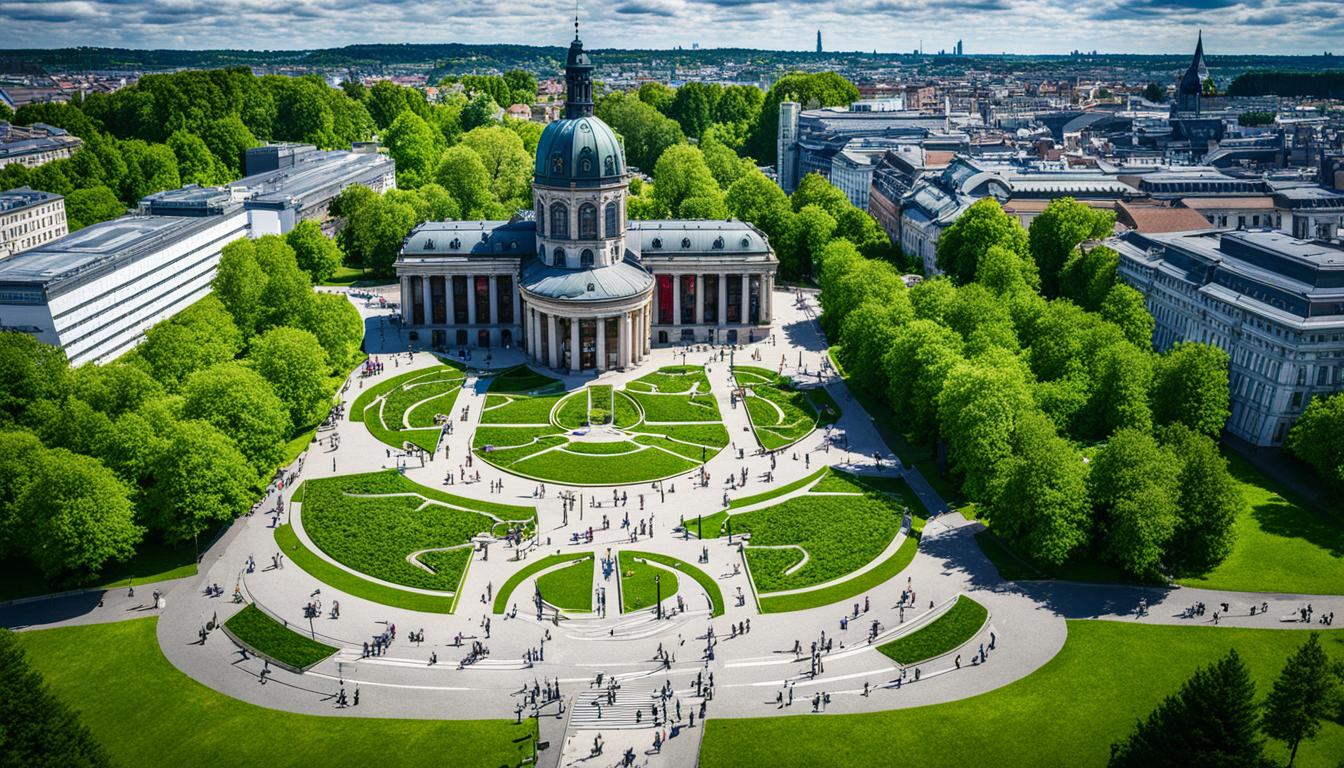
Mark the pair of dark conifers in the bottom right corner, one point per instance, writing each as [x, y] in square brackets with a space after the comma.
[1216, 719]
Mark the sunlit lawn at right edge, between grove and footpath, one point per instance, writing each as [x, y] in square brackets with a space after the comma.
[1284, 544]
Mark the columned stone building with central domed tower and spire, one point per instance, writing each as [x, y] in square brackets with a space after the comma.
[573, 282]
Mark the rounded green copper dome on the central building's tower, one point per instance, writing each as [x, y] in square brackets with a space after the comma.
[580, 151]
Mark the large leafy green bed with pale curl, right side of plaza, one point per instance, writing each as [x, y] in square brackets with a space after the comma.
[841, 535]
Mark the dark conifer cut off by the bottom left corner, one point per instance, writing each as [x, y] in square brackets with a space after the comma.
[40, 730]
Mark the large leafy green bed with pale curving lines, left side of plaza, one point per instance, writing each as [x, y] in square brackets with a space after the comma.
[355, 523]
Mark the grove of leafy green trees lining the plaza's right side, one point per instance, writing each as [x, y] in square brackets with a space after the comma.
[1036, 373]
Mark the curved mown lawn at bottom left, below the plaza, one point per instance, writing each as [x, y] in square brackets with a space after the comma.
[149, 715]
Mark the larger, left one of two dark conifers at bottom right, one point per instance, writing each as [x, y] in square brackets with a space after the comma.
[1210, 723]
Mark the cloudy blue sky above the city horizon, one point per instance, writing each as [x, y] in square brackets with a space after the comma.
[987, 26]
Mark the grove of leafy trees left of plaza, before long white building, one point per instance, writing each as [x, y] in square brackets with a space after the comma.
[178, 435]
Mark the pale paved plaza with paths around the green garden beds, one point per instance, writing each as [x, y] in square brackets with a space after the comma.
[666, 670]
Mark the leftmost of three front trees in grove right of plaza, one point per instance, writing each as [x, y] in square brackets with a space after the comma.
[1038, 498]
